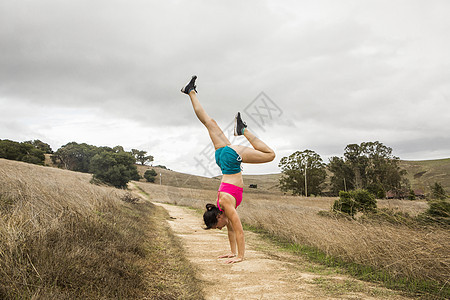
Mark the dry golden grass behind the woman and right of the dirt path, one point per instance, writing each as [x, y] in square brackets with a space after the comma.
[415, 252]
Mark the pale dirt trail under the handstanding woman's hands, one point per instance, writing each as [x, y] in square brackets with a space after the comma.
[266, 272]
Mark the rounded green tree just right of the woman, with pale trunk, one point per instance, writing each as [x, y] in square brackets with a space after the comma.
[299, 165]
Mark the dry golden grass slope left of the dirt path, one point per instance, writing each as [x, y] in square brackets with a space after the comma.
[62, 237]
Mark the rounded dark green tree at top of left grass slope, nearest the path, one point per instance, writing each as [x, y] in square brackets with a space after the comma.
[116, 169]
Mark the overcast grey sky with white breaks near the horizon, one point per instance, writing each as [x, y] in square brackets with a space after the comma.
[315, 75]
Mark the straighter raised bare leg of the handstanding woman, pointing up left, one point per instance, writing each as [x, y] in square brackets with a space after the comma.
[216, 134]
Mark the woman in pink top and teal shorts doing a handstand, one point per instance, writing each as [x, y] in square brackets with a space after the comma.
[229, 158]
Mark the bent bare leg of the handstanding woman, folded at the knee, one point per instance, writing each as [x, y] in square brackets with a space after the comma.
[260, 153]
